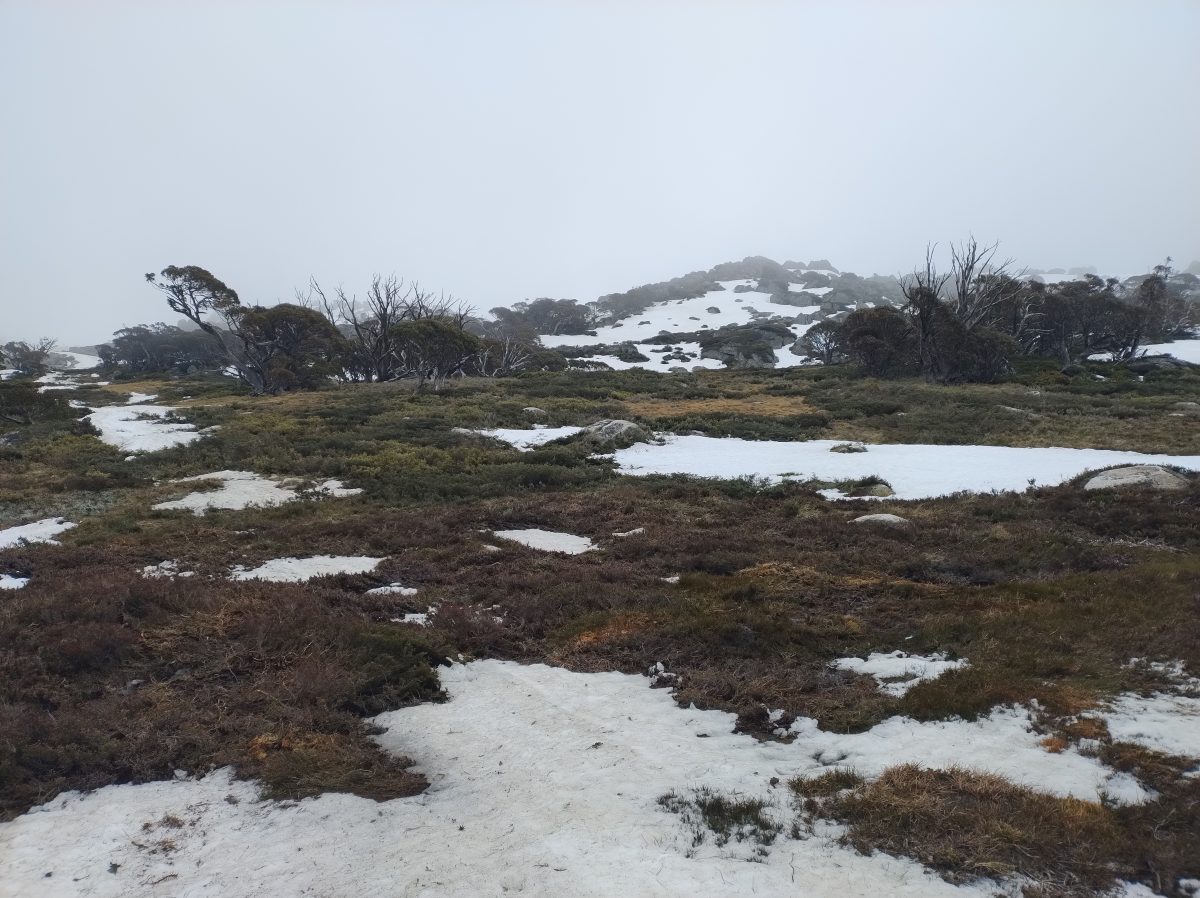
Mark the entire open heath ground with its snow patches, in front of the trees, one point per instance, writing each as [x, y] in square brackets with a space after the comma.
[604, 634]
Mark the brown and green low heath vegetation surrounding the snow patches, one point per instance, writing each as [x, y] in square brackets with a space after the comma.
[743, 594]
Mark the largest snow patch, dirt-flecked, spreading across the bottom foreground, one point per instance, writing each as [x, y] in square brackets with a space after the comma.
[543, 783]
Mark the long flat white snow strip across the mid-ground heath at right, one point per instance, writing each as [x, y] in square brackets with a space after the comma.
[915, 471]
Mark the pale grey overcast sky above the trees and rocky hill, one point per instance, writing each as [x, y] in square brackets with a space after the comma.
[511, 151]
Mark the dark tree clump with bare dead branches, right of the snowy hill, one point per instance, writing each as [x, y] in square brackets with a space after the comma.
[968, 325]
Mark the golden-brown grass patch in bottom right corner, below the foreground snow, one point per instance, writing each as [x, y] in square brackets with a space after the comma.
[969, 825]
